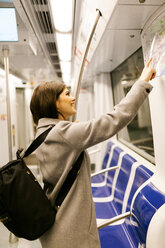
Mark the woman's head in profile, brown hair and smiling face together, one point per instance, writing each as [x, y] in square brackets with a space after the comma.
[52, 100]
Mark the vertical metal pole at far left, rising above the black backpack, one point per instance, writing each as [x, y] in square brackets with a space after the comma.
[6, 67]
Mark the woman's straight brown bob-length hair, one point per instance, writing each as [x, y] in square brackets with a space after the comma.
[43, 101]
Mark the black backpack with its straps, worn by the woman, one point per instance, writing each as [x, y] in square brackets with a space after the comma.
[24, 208]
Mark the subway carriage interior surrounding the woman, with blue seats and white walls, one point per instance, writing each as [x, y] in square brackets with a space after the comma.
[99, 49]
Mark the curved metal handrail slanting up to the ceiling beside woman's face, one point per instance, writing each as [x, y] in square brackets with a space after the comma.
[77, 85]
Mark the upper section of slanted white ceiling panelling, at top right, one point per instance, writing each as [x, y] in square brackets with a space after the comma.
[131, 16]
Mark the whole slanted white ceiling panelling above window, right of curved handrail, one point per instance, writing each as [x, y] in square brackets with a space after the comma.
[122, 36]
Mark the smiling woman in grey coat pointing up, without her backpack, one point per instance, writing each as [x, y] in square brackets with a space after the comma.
[51, 104]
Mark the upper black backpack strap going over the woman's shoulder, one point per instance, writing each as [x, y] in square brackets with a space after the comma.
[37, 142]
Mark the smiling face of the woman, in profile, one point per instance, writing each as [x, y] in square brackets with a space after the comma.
[65, 104]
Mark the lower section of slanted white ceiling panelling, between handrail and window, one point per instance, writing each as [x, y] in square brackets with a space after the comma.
[115, 47]
